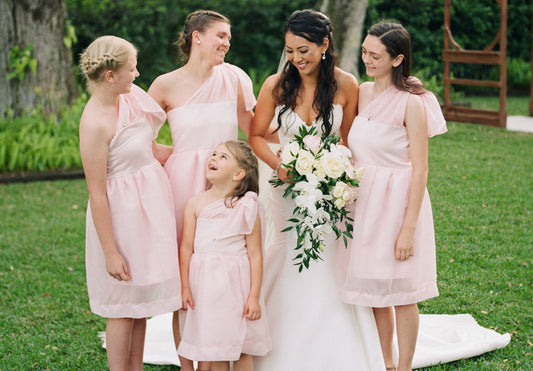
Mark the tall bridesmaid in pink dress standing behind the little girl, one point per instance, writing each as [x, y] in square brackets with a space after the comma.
[206, 101]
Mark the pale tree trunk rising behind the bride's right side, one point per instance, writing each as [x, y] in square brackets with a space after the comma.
[348, 17]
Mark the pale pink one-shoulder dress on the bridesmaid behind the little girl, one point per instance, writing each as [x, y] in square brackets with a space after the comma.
[207, 119]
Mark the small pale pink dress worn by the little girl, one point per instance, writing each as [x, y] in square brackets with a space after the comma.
[220, 284]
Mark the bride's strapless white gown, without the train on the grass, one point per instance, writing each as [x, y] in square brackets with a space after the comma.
[311, 328]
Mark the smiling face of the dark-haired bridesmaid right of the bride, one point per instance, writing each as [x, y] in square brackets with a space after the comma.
[377, 60]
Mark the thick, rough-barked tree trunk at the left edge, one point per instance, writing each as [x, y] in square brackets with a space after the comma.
[37, 24]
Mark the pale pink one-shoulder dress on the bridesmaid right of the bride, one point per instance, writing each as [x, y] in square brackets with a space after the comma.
[370, 273]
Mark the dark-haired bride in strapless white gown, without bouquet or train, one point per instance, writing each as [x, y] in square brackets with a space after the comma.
[311, 329]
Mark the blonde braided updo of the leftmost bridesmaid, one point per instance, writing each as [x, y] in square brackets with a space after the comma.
[105, 53]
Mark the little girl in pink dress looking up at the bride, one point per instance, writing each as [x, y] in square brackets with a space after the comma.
[221, 264]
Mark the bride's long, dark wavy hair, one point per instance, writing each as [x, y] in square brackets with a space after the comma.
[314, 27]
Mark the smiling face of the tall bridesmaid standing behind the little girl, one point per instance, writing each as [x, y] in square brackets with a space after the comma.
[214, 42]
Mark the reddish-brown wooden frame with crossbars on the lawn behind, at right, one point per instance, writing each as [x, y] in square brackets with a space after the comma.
[454, 53]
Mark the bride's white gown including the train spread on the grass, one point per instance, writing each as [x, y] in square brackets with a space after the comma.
[311, 329]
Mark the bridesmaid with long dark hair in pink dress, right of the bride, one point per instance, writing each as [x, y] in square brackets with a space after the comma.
[391, 260]
